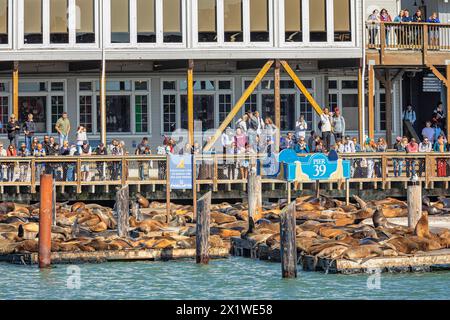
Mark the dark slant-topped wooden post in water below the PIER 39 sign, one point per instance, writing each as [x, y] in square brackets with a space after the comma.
[288, 247]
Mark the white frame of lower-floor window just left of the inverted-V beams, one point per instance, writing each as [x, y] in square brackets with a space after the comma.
[178, 93]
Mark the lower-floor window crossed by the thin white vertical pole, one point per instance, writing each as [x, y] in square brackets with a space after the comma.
[127, 106]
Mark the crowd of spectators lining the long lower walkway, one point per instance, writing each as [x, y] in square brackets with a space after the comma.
[251, 135]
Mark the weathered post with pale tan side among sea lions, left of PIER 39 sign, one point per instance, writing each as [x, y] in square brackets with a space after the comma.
[254, 195]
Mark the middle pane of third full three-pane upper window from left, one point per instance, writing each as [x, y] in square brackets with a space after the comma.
[233, 25]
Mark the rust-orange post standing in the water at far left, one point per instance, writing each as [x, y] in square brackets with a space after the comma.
[45, 221]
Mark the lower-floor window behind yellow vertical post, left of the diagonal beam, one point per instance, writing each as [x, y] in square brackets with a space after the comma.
[212, 102]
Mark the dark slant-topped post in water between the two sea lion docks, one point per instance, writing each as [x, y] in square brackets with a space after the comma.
[203, 230]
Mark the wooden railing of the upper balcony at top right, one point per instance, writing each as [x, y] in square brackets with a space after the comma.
[408, 36]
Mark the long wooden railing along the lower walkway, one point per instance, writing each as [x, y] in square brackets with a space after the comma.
[212, 170]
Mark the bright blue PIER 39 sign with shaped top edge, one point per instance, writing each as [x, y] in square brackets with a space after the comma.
[313, 168]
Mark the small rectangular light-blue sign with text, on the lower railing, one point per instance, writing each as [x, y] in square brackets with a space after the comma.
[180, 172]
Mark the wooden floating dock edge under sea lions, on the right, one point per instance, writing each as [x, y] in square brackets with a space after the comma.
[424, 261]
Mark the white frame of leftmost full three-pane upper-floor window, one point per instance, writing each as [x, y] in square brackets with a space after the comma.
[46, 28]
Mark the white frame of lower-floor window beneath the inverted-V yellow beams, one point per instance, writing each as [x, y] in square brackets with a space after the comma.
[259, 91]
